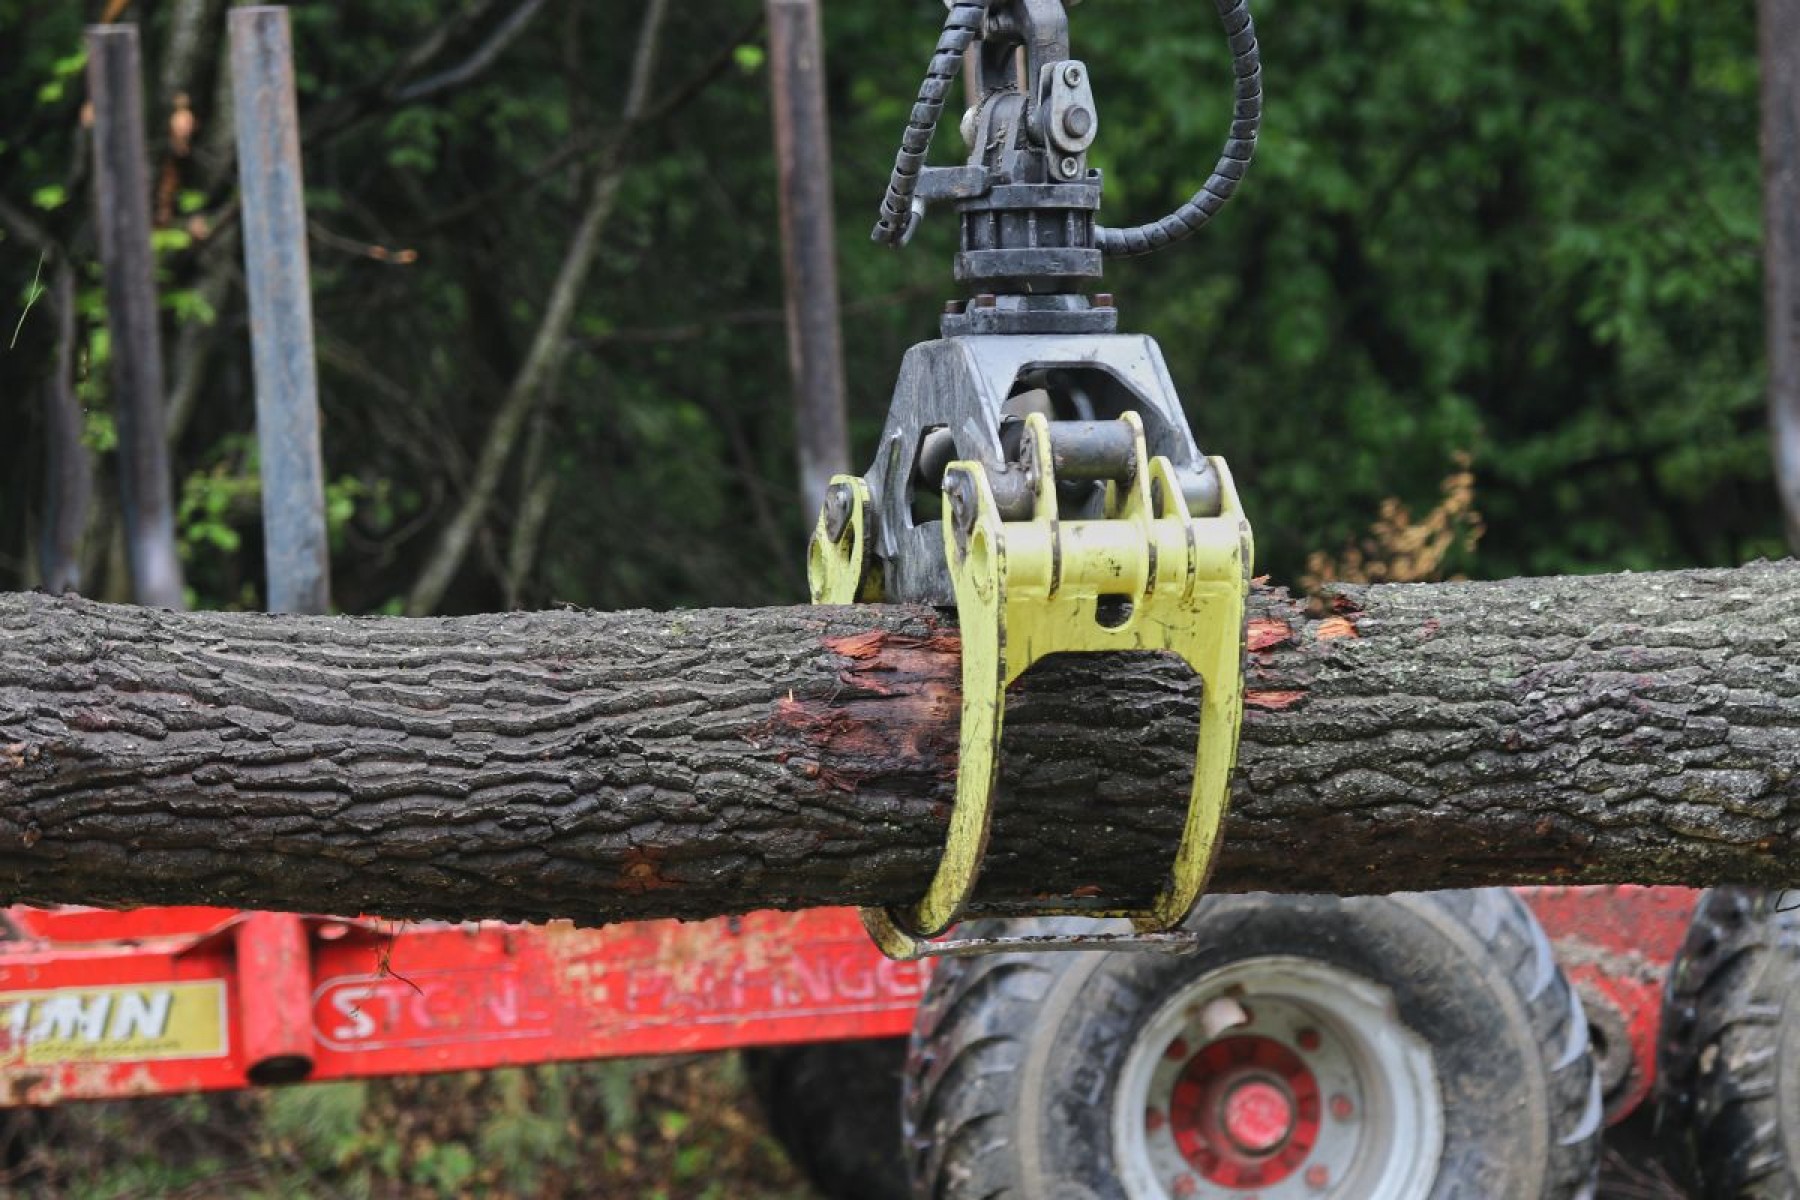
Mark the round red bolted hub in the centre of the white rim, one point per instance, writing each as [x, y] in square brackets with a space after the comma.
[1245, 1113]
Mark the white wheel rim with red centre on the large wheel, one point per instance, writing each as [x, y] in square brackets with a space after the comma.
[1318, 1095]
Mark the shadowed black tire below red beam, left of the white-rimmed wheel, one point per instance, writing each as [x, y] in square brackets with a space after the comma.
[836, 1111]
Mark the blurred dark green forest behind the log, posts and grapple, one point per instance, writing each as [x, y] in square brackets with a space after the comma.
[1497, 256]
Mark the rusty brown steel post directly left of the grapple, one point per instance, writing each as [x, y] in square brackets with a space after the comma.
[804, 150]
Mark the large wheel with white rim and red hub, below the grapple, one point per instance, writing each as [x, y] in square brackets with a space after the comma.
[1399, 1048]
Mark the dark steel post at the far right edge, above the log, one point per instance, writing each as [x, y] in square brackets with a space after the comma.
[1779, 22]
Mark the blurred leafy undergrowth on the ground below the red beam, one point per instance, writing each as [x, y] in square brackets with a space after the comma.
[517, 1134]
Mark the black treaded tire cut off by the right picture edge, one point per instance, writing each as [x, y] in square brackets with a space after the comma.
[1729, 1057]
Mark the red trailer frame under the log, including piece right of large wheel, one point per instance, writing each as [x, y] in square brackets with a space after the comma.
[102, 1005]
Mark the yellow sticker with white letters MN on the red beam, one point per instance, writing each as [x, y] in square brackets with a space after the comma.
[114, 1025]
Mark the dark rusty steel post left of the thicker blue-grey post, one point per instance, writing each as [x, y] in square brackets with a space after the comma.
[121, 211]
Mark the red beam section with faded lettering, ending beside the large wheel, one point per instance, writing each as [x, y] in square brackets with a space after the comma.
[462, 998]
